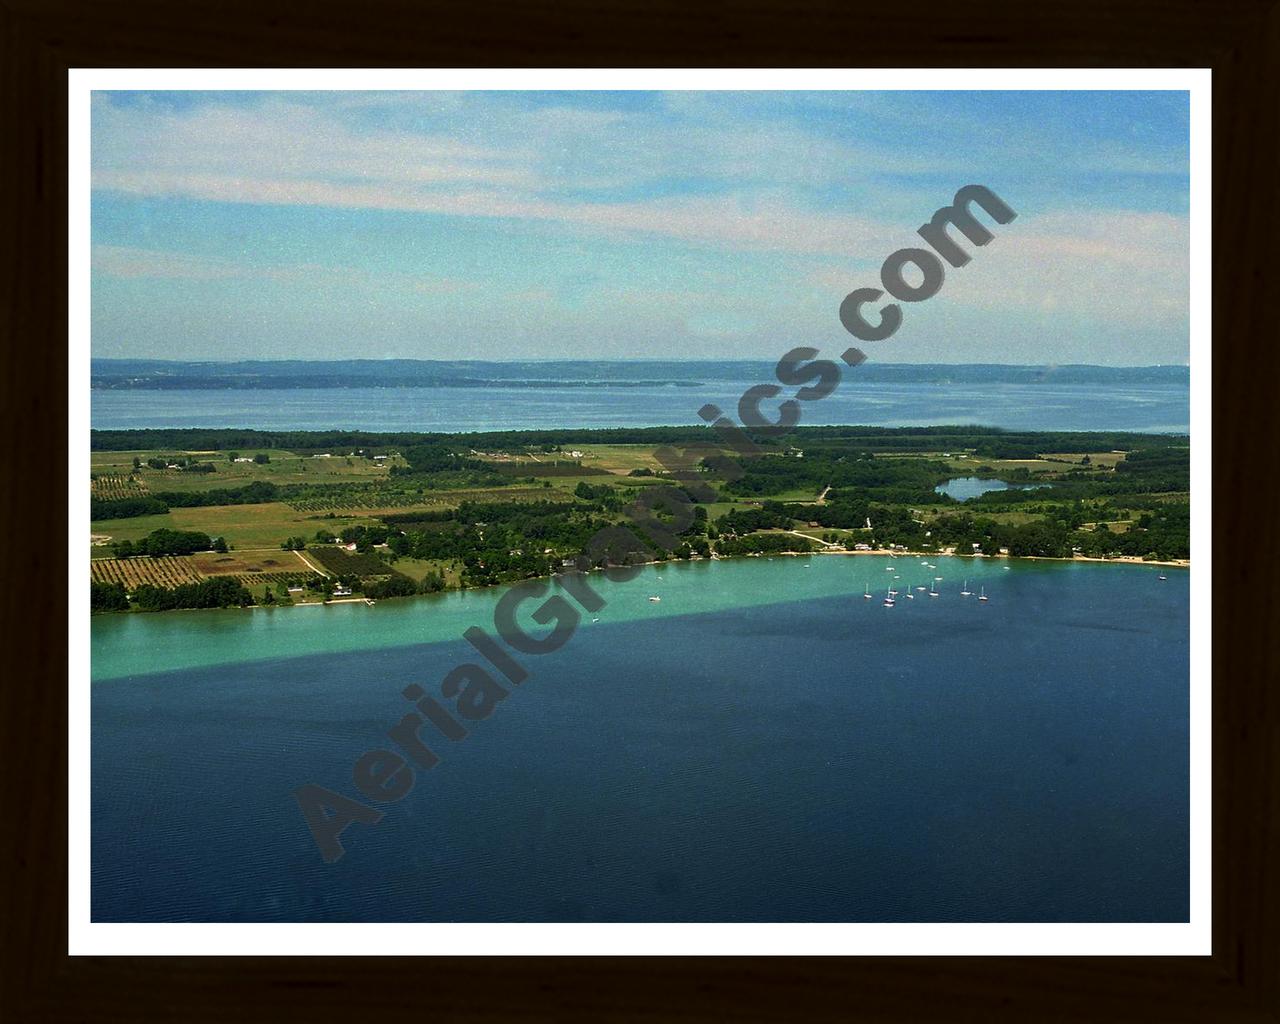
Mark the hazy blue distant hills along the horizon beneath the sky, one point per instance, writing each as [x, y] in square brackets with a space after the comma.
[289, 374]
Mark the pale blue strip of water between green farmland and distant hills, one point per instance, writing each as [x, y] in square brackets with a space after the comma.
[1155, 408]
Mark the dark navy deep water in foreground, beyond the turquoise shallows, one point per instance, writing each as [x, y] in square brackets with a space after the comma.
[829, 760]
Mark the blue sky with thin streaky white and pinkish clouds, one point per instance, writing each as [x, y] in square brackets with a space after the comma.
[499, 226]
